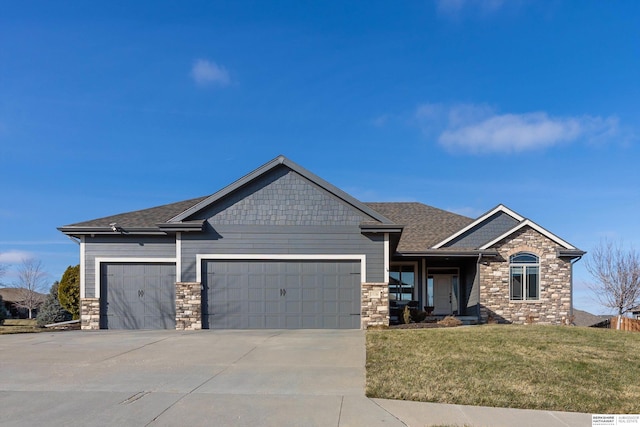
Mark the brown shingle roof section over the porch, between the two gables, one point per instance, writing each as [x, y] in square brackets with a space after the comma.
[425, 225]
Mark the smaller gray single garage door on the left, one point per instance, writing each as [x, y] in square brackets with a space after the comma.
[137, 296]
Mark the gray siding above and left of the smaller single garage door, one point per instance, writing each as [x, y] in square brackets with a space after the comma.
[123, 247]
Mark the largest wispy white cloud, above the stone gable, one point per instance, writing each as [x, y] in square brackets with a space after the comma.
[479, 129]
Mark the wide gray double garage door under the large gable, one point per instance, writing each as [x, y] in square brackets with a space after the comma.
[281, 294]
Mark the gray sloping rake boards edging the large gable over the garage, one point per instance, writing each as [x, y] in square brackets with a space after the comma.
[268, 168]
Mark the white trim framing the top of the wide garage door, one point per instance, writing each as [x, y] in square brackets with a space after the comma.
[281, 257]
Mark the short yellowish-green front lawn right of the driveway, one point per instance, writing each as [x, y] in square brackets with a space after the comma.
[532, 367]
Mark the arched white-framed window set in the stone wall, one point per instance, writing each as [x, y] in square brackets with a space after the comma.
[524, 277]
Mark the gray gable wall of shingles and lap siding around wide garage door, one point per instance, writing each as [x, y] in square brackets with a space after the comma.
[282, 213]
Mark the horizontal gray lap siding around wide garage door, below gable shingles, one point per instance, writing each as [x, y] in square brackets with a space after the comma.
[333, 240]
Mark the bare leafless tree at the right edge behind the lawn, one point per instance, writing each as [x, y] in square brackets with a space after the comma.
[616, 274]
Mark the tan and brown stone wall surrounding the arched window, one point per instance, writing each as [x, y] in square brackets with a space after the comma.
[554, 305]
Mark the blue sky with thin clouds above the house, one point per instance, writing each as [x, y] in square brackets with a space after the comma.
[108, 107]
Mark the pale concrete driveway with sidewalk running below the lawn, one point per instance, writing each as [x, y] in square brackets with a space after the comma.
[203, 378]
